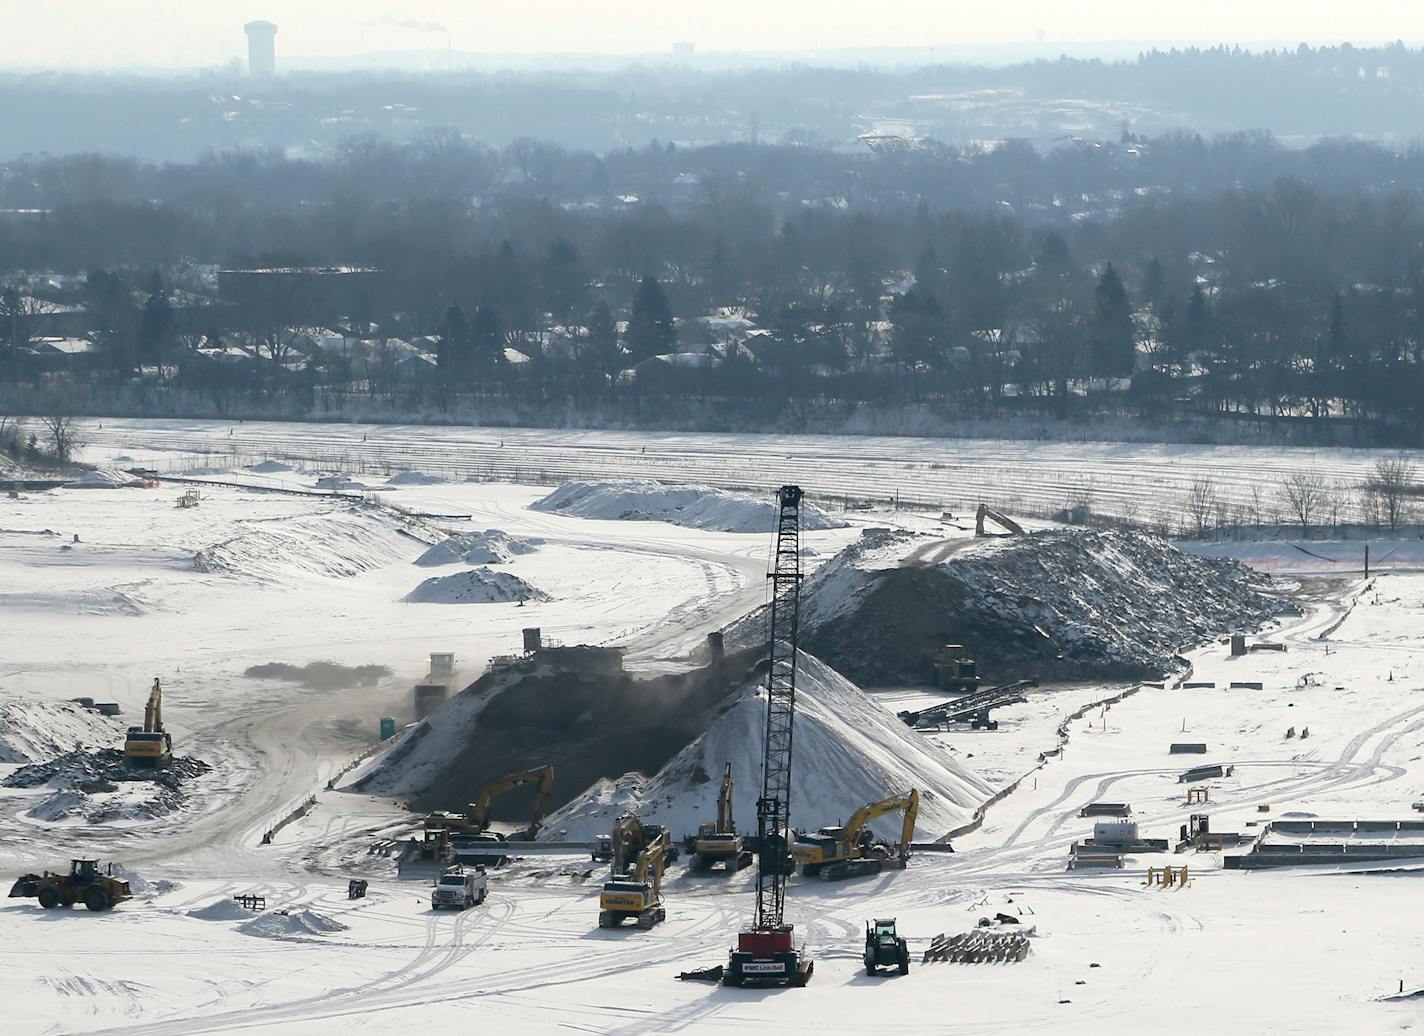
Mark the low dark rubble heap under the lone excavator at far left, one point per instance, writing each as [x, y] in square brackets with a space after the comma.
[99, 788]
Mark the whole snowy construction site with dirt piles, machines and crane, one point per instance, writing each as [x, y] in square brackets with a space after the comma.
[643, 756]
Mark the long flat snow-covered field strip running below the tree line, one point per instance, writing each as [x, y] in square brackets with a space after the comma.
[1147, 482]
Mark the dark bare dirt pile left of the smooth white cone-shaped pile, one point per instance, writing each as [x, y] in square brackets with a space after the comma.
[570, 708]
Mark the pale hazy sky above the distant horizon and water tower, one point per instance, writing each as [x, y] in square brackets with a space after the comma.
[98, 33]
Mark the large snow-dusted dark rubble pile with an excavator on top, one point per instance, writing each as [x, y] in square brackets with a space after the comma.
[1066, 604]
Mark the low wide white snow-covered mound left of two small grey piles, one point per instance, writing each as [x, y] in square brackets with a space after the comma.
[331, 543]
